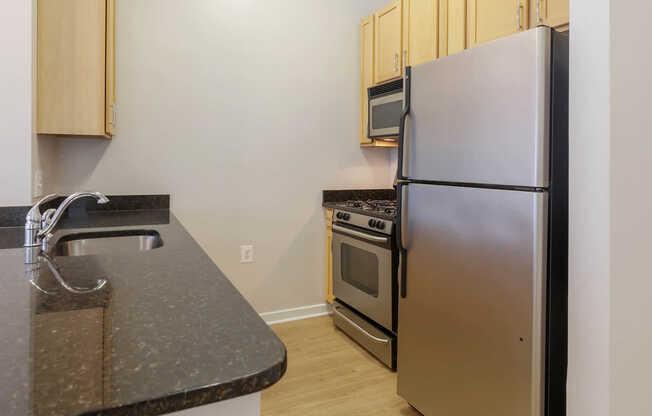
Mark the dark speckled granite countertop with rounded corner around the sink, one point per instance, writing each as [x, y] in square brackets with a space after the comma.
[165, 332]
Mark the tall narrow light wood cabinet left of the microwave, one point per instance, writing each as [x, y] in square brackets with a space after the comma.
[366, 73]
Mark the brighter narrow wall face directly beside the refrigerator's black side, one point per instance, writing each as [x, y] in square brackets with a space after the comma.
[589, 250]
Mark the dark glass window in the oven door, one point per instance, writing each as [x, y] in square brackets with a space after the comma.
[360, 269]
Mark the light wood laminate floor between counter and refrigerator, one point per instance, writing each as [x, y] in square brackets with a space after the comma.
[329, 374]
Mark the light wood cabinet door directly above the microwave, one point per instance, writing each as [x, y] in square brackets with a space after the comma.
[387, 22]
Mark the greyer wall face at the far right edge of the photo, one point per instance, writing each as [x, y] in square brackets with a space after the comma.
[631, 208]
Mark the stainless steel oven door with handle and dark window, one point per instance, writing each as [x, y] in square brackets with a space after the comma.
[362, 272]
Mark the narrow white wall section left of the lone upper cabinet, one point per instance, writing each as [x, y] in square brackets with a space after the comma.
[15, 102]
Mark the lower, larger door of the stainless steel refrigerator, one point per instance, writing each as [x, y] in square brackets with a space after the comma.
[471, 327]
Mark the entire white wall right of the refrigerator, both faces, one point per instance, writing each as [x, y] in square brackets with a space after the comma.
[610, 334]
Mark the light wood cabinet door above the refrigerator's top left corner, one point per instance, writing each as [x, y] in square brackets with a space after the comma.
[423, 31]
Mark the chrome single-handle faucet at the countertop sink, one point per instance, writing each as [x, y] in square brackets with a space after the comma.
[38, 227]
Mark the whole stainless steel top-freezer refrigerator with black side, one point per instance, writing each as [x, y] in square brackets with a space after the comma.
[483, 190]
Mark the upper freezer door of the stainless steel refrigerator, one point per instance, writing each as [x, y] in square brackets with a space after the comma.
[481, 116]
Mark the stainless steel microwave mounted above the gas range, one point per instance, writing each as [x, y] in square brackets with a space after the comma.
[385, 108]
